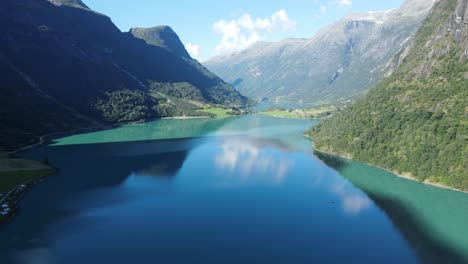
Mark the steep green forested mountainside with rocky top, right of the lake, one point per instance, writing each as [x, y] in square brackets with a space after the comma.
[414, 122]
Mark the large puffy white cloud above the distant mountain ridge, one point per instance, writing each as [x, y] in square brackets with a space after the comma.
[240, 33]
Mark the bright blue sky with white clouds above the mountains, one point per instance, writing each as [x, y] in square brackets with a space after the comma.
[212, 27]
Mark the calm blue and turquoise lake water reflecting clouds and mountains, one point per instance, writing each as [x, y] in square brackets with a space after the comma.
[235, 190]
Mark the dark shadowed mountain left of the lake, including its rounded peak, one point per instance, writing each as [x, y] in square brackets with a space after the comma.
[65, 66]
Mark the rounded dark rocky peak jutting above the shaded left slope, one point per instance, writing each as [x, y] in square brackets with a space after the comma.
[161, 36]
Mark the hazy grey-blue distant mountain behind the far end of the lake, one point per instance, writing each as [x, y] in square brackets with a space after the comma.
[339, 63]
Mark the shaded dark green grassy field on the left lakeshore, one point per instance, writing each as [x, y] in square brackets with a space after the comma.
[14, 172]
